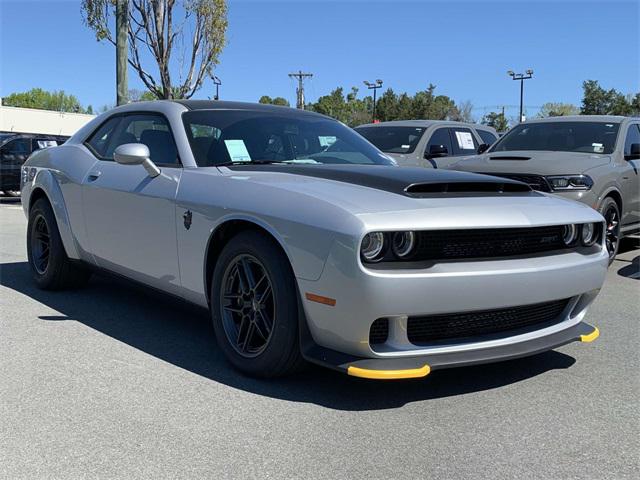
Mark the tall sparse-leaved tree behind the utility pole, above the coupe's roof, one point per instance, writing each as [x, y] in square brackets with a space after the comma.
[152, 28]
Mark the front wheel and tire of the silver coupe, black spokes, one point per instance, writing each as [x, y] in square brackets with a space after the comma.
[240, 312]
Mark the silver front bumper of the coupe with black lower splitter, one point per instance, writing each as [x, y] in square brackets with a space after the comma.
[339, 330]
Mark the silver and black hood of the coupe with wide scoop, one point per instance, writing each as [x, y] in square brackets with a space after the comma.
[404, 196]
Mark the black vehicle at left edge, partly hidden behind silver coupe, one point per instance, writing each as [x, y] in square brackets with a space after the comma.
[15, 148]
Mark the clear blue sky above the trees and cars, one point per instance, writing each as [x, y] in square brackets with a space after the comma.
[463, 47]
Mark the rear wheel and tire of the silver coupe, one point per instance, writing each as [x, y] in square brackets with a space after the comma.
[50, 267]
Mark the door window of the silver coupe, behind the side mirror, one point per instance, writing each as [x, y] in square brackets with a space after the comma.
[151, 130]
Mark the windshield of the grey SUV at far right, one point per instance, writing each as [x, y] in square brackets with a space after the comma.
[584, 137]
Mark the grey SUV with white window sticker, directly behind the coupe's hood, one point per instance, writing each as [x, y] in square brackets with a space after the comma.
[428, 143]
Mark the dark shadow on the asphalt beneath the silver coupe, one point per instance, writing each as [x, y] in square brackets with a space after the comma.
[181, 335]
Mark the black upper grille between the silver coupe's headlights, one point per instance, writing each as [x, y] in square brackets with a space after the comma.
[487, 243]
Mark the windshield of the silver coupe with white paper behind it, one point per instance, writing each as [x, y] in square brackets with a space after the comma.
[223, 137]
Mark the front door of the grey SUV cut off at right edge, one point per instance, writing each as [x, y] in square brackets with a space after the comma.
[630, 179]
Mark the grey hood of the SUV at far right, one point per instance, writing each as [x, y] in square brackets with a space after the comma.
[536, 162]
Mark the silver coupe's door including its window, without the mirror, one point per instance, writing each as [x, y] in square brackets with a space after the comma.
[130, 216]
